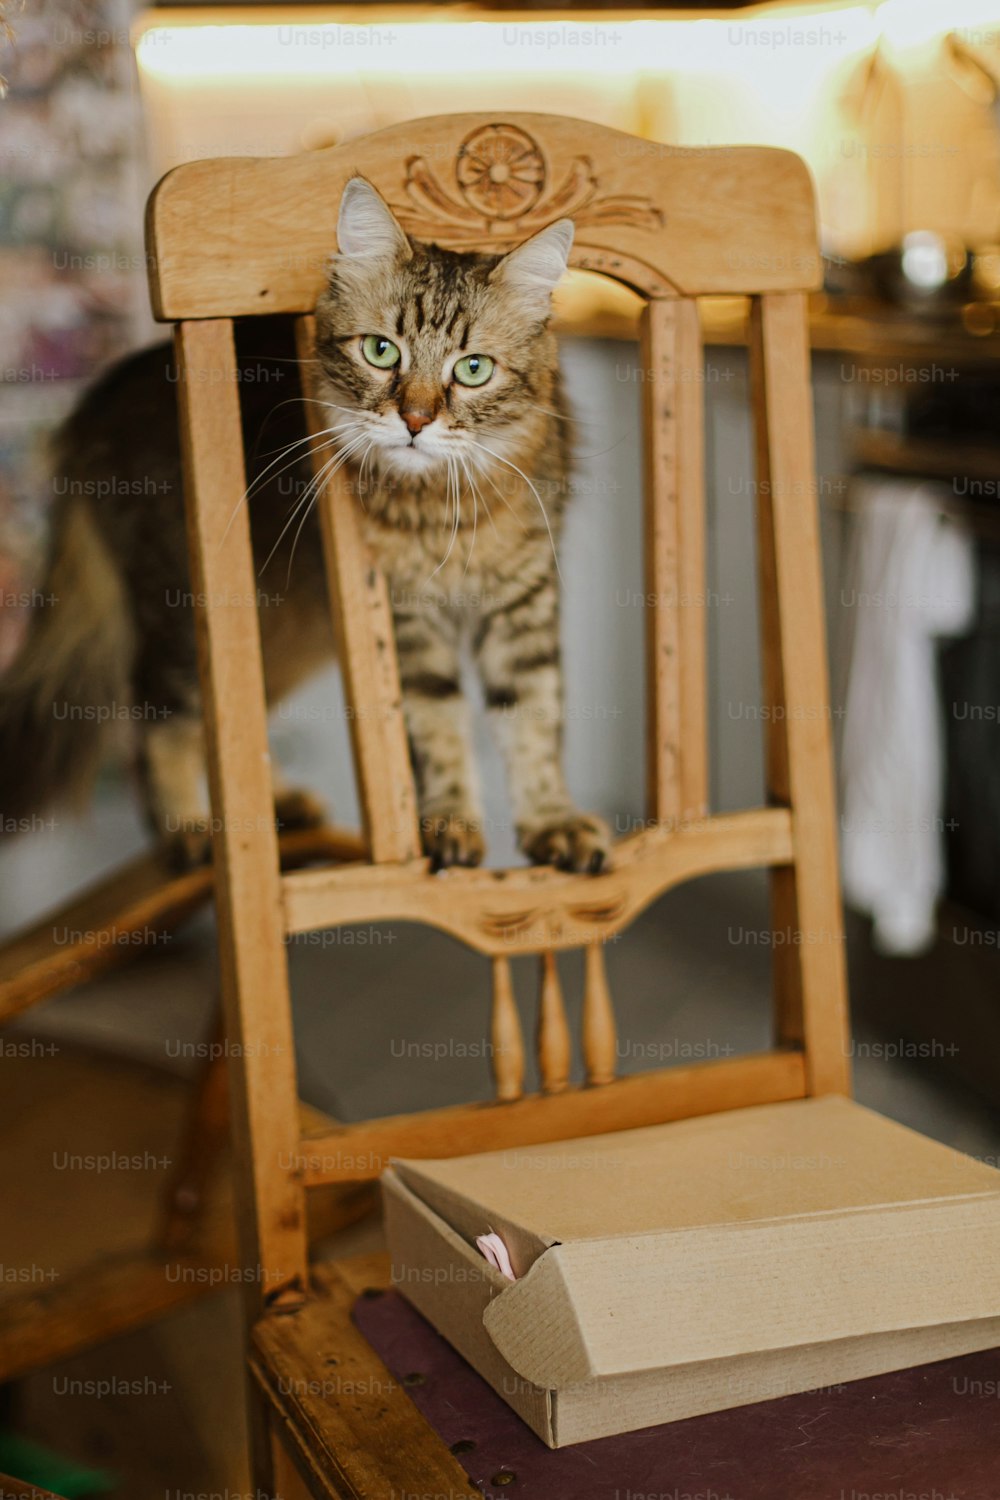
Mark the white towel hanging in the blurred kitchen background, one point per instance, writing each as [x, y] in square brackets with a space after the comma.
[912, 583]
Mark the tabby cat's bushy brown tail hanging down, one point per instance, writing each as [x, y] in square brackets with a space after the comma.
[70, 683]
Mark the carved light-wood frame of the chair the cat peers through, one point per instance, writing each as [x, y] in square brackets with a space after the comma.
[241, 238]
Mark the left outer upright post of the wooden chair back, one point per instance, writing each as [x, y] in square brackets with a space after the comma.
[245, 844]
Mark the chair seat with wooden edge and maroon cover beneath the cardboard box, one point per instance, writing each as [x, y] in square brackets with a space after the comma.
[358, 1432]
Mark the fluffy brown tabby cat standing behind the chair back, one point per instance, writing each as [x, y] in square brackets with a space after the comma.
[440, 386]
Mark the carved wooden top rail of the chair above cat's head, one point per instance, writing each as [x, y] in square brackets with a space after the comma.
[253, 236]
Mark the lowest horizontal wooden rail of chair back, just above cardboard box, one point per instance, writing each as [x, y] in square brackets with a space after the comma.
[358, 1153]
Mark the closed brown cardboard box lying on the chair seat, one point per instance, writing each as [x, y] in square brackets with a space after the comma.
[708, 1264]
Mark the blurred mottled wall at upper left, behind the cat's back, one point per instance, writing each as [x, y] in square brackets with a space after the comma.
[71, 250]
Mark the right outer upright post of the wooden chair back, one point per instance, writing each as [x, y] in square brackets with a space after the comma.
[810, 973]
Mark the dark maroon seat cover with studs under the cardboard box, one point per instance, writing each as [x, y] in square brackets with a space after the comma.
[930, 1433]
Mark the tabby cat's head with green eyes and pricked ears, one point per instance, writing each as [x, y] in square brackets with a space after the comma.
[431, 358]
